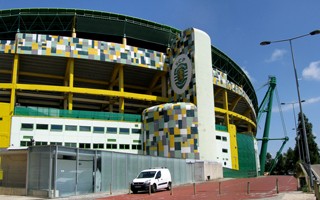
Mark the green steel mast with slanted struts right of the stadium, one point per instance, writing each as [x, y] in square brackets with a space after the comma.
[266, 107]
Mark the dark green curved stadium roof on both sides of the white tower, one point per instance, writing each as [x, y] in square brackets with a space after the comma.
[109, 27]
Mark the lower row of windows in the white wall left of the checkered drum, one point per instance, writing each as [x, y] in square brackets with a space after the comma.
[86, 145]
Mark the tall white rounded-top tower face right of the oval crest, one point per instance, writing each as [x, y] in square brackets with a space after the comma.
[205, 98]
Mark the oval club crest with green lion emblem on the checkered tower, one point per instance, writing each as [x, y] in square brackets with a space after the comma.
[181, 73]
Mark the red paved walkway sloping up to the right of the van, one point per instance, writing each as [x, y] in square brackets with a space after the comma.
[260, 187]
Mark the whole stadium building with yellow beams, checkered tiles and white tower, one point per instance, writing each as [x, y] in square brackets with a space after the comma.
[97, 80]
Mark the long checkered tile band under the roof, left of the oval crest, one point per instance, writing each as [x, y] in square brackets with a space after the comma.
[51, 45]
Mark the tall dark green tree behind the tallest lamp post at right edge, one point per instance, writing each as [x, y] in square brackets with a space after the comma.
[313, 147]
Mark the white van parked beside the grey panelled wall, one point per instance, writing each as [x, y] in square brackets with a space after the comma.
[157, 178]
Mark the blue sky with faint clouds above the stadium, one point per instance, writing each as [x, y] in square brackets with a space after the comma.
[237, 28]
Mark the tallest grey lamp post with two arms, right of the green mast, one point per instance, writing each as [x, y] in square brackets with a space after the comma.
[306, 147]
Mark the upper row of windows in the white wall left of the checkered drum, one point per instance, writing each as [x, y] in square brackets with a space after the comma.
[94, 129]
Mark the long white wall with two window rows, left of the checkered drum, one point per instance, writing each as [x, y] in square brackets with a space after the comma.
[128, 140]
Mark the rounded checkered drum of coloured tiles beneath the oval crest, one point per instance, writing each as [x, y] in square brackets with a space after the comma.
[171, 130]
